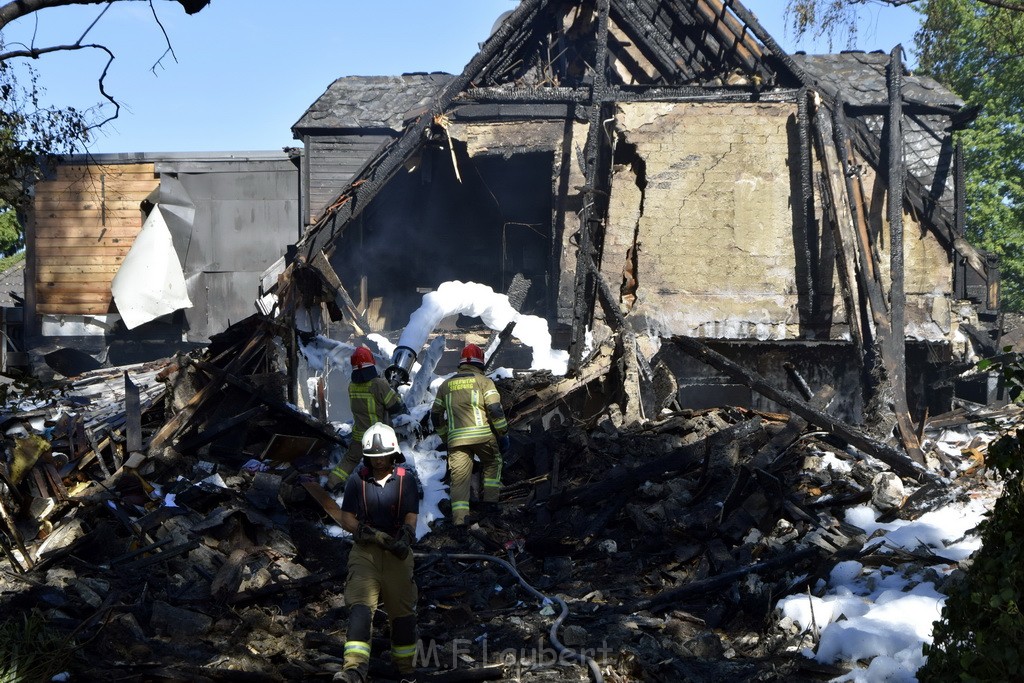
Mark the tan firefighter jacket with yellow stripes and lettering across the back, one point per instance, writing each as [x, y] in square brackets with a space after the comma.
[468, 409]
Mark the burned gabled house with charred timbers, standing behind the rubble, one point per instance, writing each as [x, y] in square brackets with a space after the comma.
[663, 170]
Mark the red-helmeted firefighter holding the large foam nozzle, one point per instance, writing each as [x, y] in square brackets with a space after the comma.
[372, 400]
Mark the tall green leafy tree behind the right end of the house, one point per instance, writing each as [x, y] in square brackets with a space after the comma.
[976, 49]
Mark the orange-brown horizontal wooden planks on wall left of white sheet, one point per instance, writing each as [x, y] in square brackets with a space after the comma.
[87, 220]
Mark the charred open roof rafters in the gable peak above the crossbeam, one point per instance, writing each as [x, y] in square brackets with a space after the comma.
[650, 42]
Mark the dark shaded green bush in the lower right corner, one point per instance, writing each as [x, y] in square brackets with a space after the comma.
[980, 634]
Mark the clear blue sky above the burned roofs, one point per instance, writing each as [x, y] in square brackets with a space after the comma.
[246, 71]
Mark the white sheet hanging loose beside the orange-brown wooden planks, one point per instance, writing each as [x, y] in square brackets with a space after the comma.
[150, 282]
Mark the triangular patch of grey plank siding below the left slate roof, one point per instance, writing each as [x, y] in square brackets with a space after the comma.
[333, 162]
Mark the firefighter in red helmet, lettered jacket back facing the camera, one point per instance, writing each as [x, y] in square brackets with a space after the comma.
[467, 415]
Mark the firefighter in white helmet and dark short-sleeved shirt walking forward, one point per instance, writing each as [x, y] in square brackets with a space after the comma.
[380, 510]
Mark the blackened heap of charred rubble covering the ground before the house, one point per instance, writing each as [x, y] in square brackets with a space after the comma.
[166, 521]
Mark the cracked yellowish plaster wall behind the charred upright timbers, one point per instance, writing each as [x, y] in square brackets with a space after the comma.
[708, 210]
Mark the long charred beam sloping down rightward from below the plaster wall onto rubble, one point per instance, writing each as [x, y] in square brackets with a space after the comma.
[900, 462]
